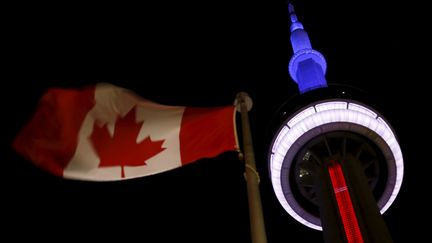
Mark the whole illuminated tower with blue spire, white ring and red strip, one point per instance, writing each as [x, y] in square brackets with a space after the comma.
[335, 163]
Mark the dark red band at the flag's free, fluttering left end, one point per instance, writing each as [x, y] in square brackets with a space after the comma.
[49, 139]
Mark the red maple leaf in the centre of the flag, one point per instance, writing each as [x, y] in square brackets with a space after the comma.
[122, 149]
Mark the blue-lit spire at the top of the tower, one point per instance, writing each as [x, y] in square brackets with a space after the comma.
[307, 66]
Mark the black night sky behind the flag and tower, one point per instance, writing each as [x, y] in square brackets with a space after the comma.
[202, 54]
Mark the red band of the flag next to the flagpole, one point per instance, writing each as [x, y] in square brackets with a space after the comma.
[205, 133]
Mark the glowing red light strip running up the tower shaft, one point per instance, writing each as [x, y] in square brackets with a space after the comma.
[346, 210]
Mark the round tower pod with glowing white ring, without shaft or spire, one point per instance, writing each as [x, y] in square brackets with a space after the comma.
[331, 119]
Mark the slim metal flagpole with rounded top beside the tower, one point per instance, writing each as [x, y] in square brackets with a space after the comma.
[243, 105]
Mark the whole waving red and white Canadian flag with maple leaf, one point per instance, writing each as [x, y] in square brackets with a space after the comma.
[105, 132]
